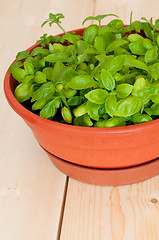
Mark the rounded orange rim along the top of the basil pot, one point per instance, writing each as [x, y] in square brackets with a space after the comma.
[38, 120]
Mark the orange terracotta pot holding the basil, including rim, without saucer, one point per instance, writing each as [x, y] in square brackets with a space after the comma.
[115, 147]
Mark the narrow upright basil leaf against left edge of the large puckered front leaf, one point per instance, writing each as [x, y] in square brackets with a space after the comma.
[110, 104]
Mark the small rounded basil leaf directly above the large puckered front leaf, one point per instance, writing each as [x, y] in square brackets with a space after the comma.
[123, 90]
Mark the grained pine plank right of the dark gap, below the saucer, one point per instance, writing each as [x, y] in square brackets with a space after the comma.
[112, 213]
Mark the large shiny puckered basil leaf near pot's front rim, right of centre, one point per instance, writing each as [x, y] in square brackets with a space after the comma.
[128, 106]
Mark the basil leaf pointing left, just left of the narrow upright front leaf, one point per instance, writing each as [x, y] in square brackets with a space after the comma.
[97, 96]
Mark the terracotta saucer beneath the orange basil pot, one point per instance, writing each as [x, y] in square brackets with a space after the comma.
[107, 177]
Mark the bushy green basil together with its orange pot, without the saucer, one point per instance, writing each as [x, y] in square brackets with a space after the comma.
[91, 95]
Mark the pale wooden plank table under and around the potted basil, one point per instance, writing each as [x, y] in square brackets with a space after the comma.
[37, 202]
